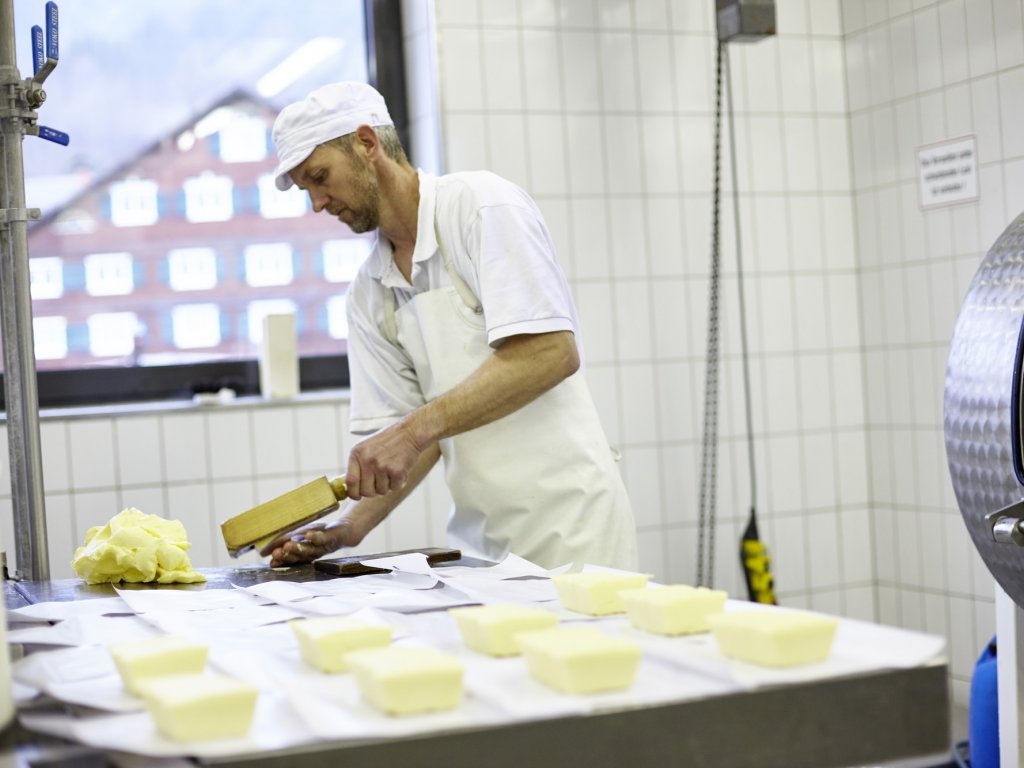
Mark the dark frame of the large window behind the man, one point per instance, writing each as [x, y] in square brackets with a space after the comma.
[106, 387]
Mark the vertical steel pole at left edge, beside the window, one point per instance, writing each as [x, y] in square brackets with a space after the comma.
[16, 323]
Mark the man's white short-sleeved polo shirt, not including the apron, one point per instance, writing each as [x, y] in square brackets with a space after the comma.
[498, 243]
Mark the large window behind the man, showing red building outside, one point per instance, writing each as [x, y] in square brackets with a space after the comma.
[182, 169]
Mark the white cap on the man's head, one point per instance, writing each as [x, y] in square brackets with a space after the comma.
[329, 112]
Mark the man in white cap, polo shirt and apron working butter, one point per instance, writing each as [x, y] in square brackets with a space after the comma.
[462, 345]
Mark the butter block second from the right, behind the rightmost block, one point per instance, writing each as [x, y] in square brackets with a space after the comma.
[674, 610]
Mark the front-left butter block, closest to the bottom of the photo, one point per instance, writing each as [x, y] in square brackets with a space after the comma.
[199, 708]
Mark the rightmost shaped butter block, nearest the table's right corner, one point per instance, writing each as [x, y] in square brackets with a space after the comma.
[775, 638]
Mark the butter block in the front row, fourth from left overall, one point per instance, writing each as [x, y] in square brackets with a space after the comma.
[406, 681]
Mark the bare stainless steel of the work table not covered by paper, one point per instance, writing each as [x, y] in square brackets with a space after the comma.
[863, 719]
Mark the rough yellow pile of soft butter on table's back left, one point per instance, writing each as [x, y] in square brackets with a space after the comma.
[136, 547]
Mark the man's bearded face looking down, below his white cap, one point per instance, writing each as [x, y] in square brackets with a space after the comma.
[344, 184]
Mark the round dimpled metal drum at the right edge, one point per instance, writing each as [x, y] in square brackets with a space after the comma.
[977, 403]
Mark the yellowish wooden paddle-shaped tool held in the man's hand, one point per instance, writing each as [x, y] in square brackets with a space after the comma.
[262, 525]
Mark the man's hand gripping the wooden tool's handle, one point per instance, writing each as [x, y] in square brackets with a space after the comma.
[381, 464]
